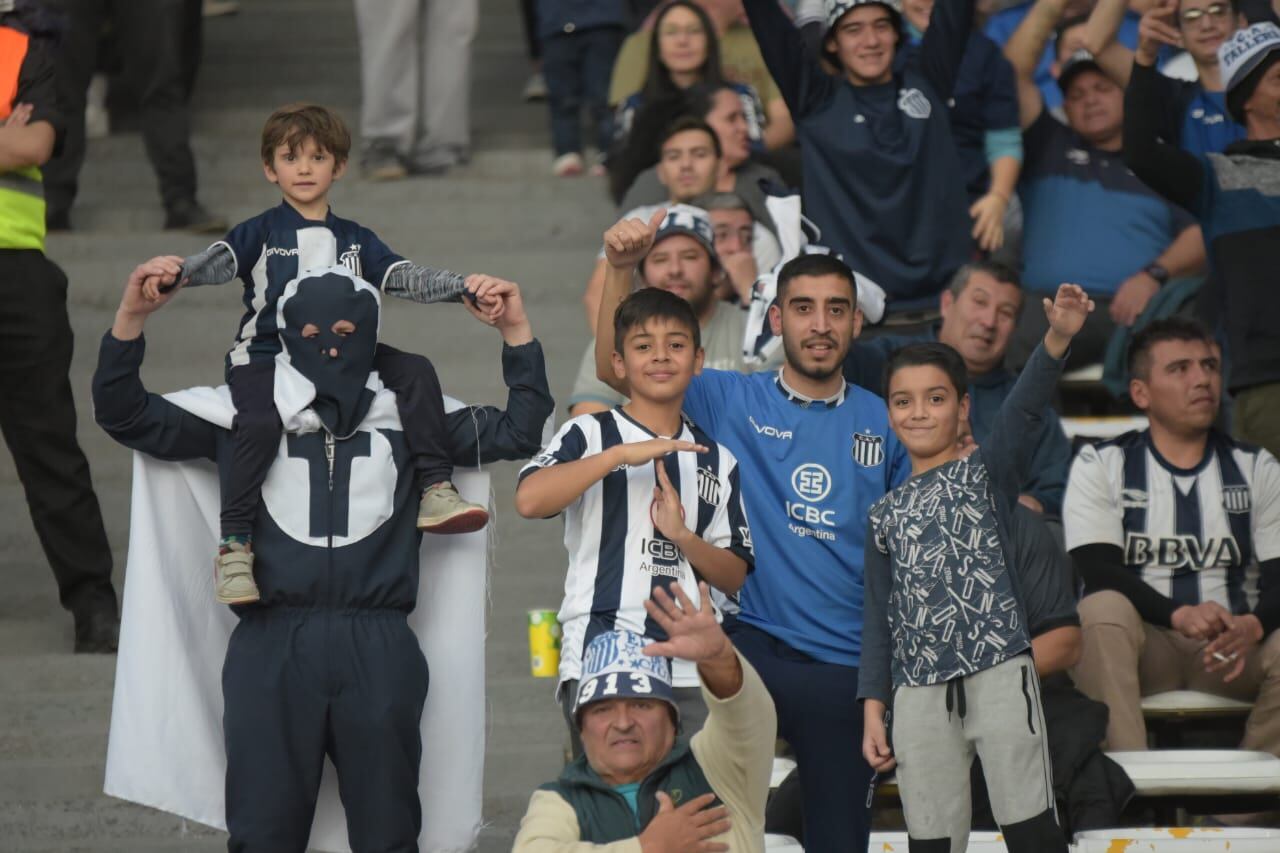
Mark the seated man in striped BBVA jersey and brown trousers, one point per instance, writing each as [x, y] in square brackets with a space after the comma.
[1176, 531]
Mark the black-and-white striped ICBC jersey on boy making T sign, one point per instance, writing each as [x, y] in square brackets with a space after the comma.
[616, 556]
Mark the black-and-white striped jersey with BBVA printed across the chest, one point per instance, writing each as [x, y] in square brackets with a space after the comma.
[1194, 535]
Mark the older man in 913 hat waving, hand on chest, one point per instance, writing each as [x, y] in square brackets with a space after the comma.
[641, 788]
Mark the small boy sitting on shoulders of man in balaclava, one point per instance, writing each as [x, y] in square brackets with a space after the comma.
[305, 149]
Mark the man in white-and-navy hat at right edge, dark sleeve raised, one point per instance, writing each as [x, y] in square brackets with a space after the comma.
[1237, 195]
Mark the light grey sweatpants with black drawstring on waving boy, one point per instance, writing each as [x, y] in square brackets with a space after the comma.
[938, 729]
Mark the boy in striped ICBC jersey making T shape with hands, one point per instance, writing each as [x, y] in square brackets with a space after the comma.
[650, 499]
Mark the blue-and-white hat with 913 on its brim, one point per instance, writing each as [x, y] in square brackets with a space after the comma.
[616, 668]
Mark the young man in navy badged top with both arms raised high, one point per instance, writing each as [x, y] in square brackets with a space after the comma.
[876, 143]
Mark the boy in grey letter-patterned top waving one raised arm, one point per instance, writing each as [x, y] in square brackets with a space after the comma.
[945, 638]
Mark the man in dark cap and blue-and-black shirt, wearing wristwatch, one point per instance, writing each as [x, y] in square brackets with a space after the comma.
[1087, 218]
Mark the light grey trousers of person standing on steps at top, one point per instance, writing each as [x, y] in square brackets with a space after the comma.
[415, 72]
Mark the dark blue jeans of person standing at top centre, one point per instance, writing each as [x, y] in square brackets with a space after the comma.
[578, 67]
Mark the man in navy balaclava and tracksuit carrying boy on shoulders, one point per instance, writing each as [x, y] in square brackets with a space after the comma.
[327, 663]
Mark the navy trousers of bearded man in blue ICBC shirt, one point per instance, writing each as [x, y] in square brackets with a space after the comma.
[821, 718]
